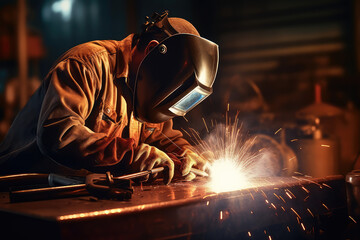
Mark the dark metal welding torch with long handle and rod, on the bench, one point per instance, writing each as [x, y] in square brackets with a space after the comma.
[99, 185]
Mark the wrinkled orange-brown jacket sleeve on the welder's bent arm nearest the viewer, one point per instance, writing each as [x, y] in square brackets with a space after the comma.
[62, 134]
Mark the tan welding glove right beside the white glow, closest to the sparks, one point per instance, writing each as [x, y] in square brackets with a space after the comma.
[190, 160]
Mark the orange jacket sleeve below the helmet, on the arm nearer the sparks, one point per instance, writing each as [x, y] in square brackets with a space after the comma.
[168, 139]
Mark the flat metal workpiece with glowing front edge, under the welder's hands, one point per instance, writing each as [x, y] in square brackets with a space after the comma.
[272, 208]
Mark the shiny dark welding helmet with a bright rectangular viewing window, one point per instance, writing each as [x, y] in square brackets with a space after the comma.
[174, 77]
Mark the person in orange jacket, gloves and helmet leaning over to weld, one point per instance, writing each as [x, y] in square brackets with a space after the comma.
[108, 105]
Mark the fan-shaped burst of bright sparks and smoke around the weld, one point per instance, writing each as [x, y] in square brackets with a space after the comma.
[235, 159]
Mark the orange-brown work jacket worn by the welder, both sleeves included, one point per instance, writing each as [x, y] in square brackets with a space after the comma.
[76, 118]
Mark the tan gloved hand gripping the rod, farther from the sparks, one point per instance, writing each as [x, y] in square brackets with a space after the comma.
[148, 157]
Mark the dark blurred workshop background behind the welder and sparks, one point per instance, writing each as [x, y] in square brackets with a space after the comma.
[288, 69]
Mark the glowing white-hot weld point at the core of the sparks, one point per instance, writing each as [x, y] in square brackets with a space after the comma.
[227, 175]
